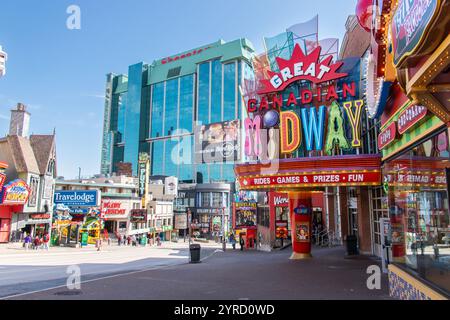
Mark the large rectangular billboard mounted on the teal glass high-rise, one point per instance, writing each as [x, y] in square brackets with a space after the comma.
[217, 142]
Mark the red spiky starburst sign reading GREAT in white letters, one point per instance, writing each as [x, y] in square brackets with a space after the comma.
[301, 67]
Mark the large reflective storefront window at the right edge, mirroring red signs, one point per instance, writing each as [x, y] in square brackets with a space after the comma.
[419, 209]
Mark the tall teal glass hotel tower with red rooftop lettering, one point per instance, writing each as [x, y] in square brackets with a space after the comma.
[156, 107]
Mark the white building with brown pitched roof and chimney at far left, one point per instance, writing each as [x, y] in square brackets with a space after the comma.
[33, 160]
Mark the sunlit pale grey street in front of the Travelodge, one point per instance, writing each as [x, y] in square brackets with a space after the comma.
[22, 272]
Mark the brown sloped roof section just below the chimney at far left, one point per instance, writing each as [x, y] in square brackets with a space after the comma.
[22, 153]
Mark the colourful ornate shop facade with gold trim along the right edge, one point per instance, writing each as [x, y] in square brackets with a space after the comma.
[409, 68]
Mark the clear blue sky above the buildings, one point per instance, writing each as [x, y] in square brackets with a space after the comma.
[59, 74]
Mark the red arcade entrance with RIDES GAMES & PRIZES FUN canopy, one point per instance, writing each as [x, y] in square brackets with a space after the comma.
[324, 200]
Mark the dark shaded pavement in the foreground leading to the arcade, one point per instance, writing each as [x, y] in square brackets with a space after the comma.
[238, 275]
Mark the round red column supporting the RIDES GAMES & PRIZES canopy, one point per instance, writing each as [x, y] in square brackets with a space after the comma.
[300, 207]
